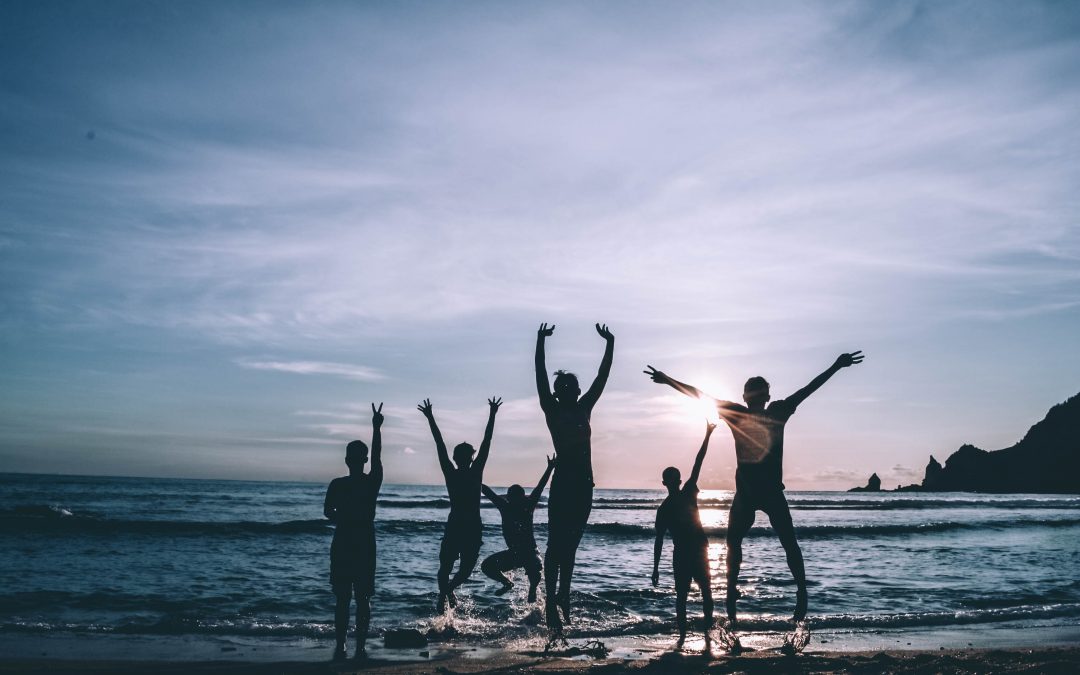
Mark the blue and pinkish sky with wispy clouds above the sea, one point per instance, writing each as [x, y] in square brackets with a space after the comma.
[226, 228]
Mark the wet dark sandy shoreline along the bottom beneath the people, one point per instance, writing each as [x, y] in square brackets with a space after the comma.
[961, 650]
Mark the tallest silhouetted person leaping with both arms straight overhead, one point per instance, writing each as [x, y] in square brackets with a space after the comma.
[571, 499]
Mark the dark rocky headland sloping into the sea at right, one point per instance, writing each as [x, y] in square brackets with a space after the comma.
[1046, 461]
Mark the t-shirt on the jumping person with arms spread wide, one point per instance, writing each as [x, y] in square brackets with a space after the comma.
[760, 443]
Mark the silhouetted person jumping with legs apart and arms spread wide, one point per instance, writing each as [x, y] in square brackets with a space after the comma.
[759, 430]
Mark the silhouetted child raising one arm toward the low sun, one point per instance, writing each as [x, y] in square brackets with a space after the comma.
[679, 515]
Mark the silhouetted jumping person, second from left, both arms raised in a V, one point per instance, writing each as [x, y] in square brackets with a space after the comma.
[465, 529]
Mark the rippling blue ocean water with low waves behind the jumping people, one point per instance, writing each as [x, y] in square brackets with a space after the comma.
[156, 557]
